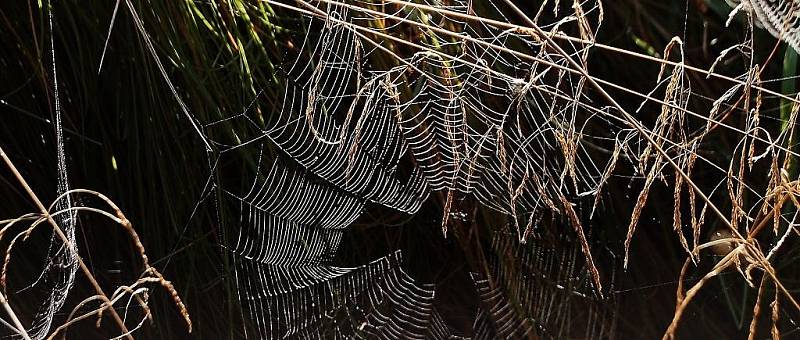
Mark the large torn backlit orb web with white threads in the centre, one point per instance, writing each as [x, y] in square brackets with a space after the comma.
[369, 120]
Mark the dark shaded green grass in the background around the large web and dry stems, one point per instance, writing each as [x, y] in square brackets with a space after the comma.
[128, 138]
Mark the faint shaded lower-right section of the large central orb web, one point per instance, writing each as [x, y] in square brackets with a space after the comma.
[545, 284]
